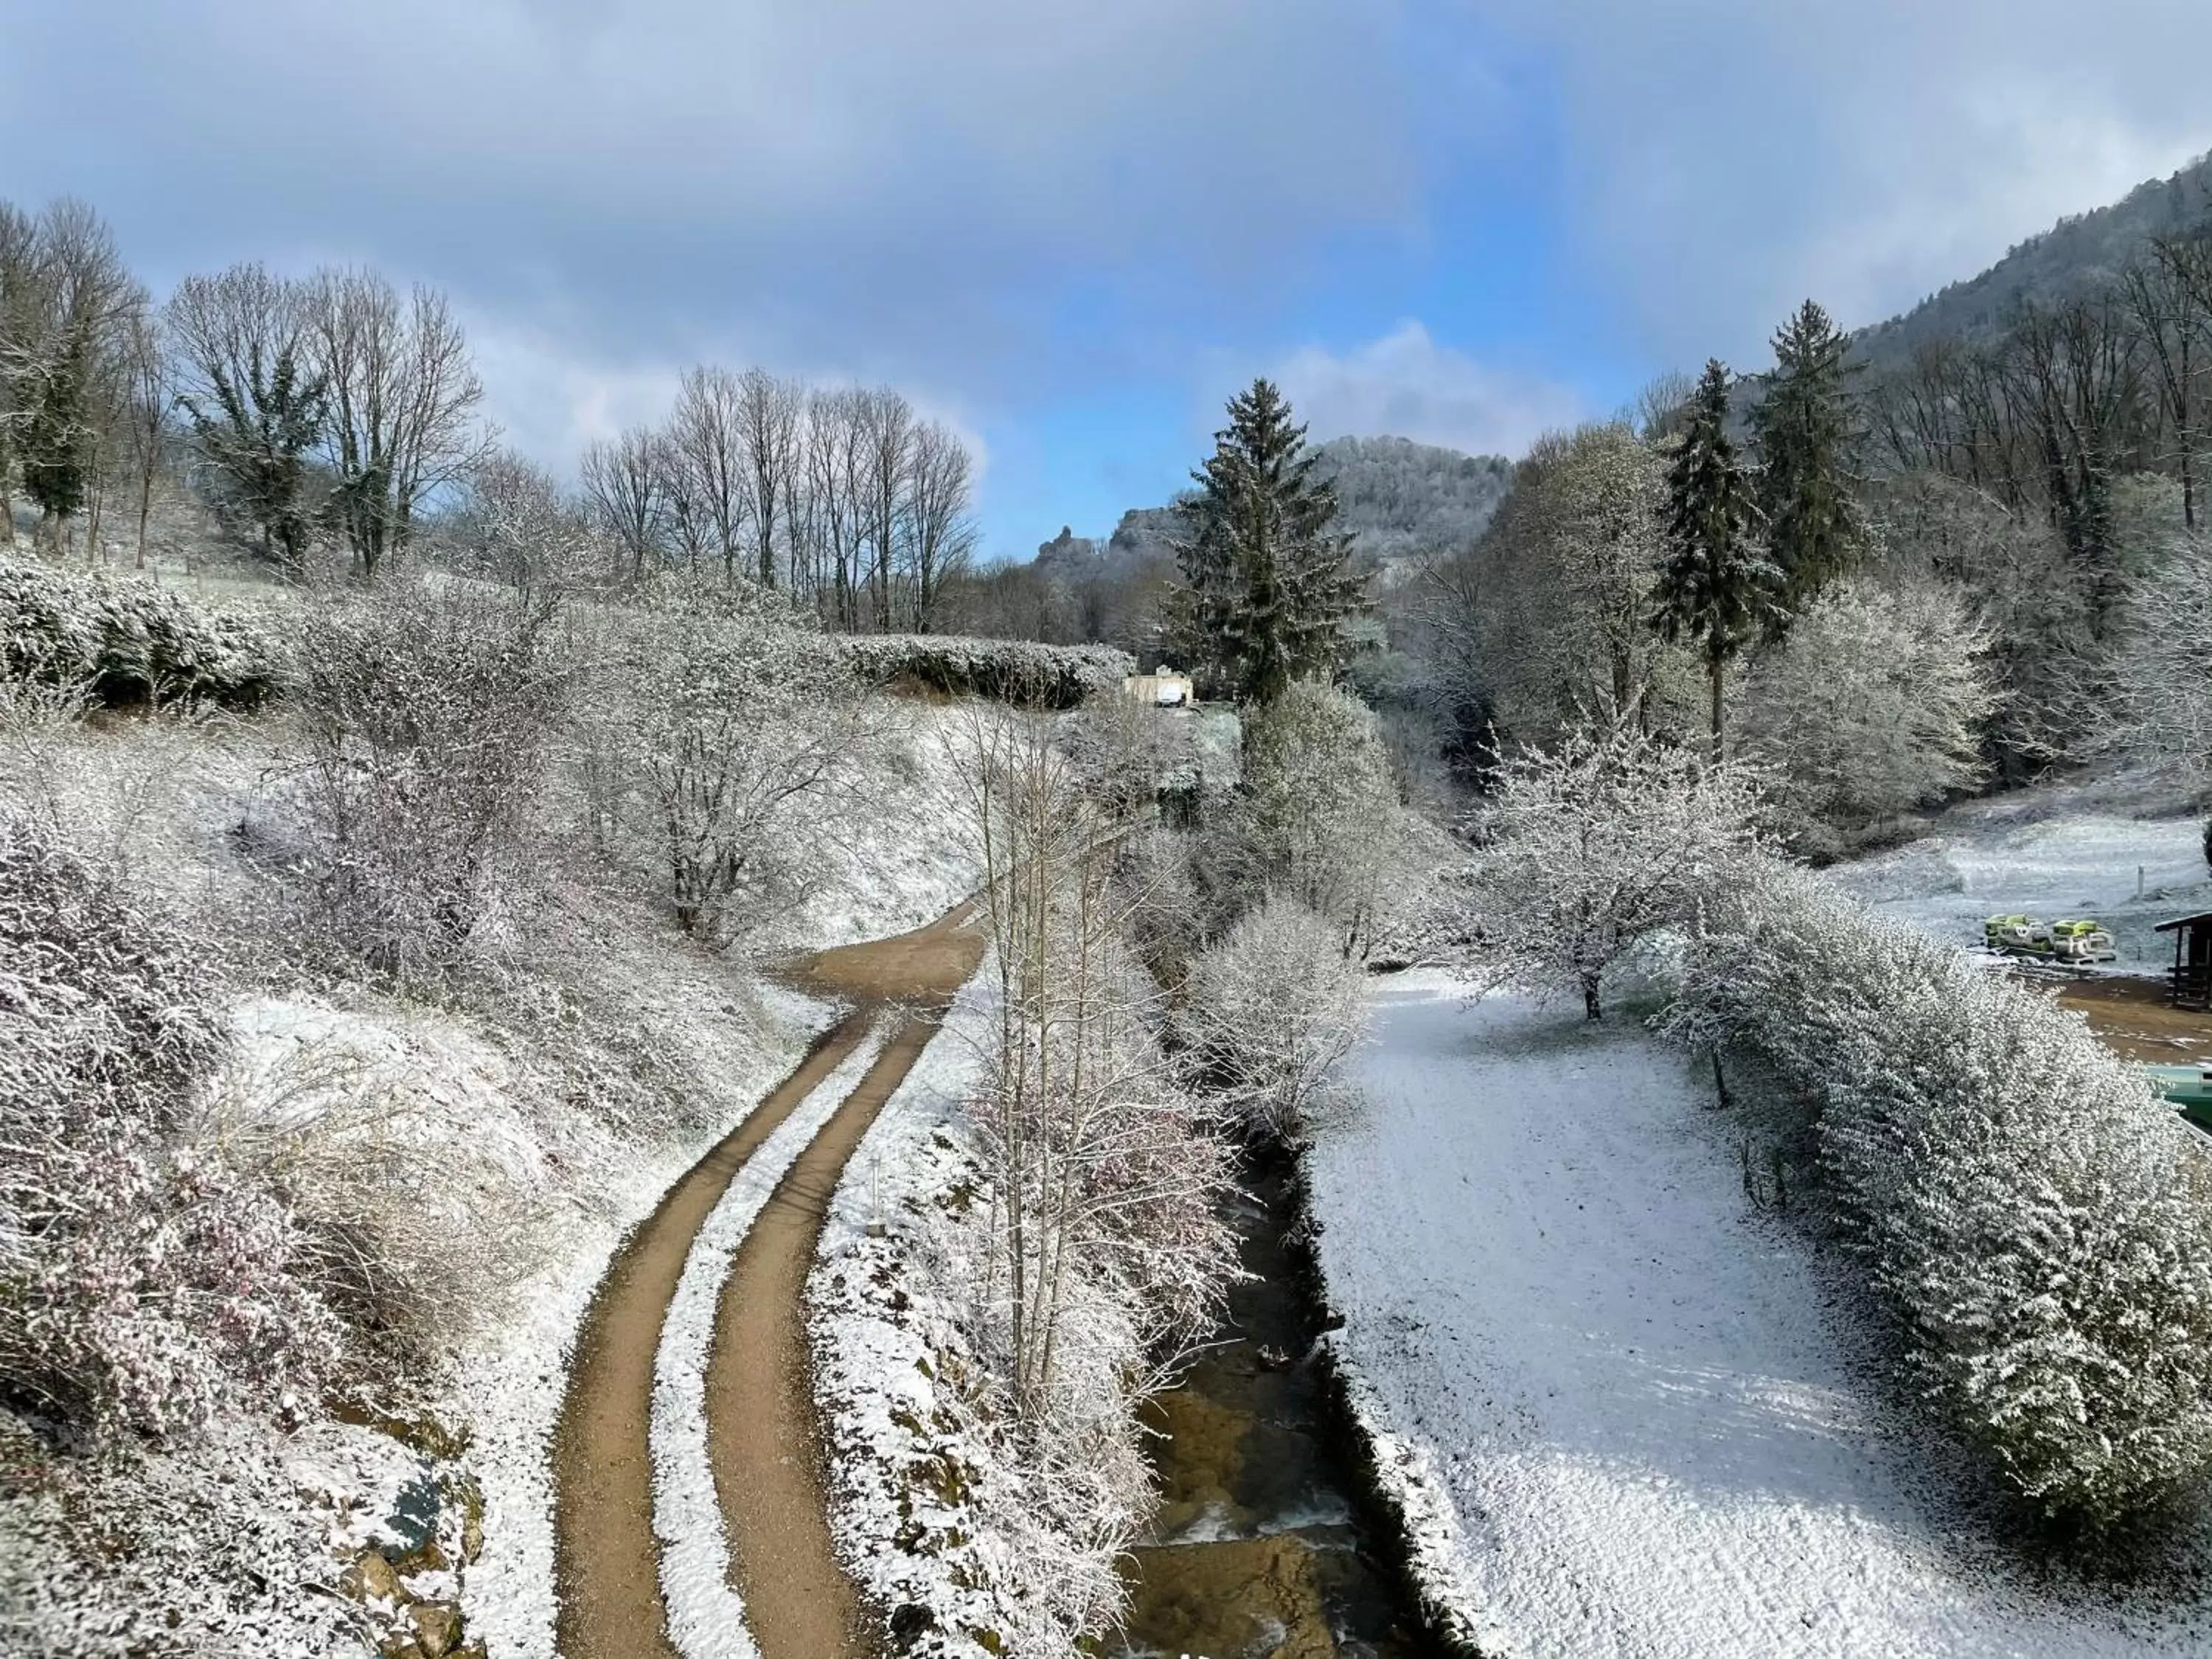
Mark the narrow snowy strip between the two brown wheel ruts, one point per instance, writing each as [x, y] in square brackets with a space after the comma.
[707, 1616]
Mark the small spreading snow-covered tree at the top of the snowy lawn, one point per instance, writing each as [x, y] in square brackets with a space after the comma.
[1603, 842]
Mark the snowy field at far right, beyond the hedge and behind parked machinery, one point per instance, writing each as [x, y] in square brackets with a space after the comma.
[2080, 848]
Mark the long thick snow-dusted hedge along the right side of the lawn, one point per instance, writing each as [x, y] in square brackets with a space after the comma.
[2038, 1222]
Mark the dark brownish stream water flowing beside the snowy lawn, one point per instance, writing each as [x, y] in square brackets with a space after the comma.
[1262, 1547]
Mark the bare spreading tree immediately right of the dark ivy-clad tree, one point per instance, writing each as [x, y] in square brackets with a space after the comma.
[404, 399]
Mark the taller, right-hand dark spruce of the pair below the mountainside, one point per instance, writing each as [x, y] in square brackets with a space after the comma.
[1804, 435]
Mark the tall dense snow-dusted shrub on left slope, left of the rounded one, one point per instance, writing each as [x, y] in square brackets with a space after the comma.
[426, 716]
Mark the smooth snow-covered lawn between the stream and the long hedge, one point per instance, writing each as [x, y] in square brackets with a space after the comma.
[1623, 1408]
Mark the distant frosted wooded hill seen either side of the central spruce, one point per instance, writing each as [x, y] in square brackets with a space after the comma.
[1397, 499]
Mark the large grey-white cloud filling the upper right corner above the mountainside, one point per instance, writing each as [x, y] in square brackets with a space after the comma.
[1726, 158]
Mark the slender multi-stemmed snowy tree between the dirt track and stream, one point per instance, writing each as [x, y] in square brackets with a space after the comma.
[1105, 1169]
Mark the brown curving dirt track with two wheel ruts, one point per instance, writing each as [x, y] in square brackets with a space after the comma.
[762, 1432]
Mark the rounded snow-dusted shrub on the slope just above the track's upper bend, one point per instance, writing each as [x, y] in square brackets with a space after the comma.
[744, 735]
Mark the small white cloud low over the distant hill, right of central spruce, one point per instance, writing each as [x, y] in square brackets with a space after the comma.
[1408, 386]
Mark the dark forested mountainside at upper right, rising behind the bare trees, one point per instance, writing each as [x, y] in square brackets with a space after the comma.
[2074, 258]
